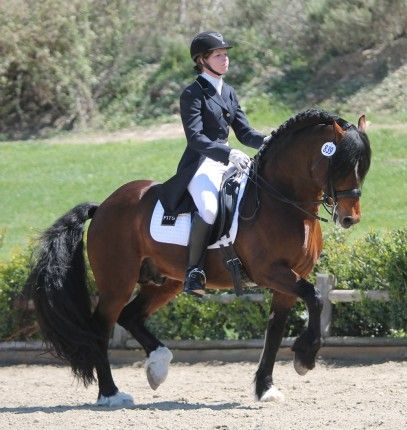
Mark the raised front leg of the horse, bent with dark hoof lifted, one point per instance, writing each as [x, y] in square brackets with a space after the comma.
[308, 343]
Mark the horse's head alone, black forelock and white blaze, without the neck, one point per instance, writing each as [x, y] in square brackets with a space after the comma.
[347, 168]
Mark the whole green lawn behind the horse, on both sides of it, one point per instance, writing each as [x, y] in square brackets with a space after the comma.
[39, 181]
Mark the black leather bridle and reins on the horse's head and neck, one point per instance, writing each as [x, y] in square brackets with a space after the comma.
[329, 198]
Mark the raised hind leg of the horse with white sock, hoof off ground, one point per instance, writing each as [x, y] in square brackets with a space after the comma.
[150, 298]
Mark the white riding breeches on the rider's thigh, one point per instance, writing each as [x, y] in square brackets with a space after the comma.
[204, 188]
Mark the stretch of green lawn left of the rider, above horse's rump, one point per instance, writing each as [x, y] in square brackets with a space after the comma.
[39, 182]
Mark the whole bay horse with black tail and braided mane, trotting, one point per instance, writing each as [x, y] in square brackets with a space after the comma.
[315, 157]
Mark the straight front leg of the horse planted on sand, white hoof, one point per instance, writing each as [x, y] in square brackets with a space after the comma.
[280, 308]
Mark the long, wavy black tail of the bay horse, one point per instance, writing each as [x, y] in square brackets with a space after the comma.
[59, 287]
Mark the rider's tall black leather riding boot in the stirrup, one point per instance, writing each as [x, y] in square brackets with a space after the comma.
[199, 237]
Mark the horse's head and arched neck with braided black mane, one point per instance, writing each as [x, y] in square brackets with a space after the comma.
[315, 153]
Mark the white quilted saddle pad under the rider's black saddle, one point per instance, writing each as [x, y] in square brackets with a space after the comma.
[178, 234]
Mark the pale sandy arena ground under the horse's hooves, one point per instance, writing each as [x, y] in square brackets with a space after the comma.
[211, 396]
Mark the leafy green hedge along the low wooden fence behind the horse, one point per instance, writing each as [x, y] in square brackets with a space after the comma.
[375, 261]
